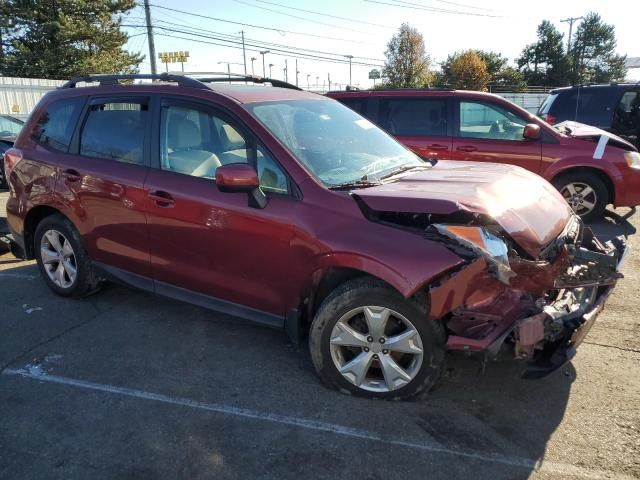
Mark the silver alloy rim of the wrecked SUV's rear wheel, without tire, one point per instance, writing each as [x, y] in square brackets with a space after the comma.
[58, 258]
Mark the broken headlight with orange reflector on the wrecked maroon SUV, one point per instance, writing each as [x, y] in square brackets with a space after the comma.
[493, 248]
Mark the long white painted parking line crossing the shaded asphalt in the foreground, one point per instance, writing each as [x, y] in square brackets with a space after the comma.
[37, 373]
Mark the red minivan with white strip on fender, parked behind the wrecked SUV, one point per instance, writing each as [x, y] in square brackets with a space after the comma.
[480, 127]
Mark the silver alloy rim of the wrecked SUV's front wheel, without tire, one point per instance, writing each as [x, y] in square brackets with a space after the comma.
[376, 348]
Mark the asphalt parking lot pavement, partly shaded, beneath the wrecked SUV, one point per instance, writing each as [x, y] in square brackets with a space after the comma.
[125, 385]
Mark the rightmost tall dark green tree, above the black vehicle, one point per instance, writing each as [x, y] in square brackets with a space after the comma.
[592, 56]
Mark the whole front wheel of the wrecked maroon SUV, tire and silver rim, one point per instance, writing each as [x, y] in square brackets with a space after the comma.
[368, 340]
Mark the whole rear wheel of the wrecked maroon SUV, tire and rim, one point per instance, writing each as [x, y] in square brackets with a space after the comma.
[65, 266]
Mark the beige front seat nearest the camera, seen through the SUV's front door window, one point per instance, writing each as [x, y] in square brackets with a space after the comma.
[185, 150]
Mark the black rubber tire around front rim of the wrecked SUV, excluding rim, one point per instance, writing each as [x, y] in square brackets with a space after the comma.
[371, 292]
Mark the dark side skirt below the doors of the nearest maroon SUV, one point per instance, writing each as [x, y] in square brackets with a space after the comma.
[248, 314]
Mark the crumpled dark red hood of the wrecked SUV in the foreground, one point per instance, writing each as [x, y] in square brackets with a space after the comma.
[525, 205]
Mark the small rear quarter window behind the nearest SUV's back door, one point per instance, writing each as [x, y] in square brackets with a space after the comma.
[55, 126]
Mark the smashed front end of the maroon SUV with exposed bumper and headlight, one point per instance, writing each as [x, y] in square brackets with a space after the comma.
[540, 308]
